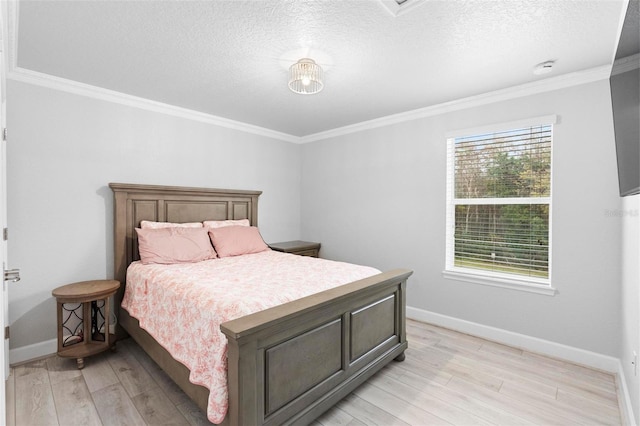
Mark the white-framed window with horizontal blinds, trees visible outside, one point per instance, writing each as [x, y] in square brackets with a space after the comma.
[498, 205]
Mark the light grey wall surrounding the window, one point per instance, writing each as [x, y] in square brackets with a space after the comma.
[378, 197]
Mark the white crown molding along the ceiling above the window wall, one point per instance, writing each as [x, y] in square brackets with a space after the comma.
[528, 89]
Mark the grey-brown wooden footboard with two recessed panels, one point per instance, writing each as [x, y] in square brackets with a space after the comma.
[290, 363]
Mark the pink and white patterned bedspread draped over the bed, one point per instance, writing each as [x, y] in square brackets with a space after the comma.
[182, 306]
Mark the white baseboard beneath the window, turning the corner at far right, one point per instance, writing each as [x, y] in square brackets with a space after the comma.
[534, 344]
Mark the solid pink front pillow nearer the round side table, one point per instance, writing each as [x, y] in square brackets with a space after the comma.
[174, 245]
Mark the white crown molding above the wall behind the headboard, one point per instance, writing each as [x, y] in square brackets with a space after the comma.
[57, 83]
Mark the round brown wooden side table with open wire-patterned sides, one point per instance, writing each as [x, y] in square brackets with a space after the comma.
[84, 329]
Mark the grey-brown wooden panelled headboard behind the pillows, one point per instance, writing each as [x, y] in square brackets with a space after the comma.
[134, 203]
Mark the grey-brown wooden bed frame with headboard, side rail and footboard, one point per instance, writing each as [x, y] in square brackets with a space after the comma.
[287, 364]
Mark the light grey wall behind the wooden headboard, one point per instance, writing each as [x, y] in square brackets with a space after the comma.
[63, 151]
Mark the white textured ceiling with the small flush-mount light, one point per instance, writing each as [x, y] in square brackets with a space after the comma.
[230, 58]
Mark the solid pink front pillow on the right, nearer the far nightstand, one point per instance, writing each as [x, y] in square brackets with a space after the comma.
[237, 240]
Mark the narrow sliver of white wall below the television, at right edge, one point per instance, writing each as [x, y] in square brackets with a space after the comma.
[629, 215]
